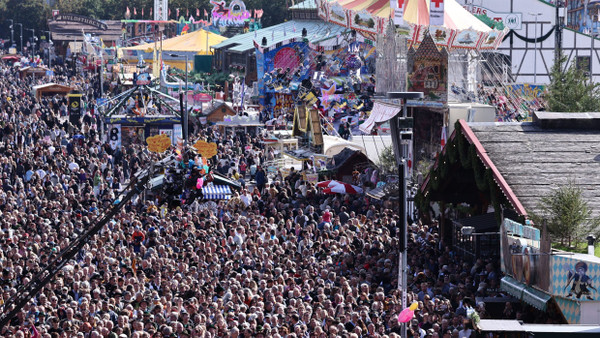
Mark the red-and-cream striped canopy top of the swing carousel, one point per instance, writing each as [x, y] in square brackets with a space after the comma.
[460, 30]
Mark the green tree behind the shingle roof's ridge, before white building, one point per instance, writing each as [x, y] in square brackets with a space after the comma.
[571, 90]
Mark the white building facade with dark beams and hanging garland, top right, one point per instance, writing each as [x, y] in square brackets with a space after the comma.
[531, 48]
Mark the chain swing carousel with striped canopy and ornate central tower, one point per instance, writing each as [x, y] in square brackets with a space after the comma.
[440, 49]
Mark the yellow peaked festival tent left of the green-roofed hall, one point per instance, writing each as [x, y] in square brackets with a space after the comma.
[195, 43]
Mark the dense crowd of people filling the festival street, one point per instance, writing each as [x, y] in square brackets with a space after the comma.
[279, 259]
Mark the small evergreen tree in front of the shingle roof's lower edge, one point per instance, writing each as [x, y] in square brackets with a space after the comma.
[568, 216]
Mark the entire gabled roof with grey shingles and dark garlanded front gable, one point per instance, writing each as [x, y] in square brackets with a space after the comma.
[514, 165]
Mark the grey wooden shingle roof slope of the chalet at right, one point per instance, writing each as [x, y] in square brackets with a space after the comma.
[534, 160]
